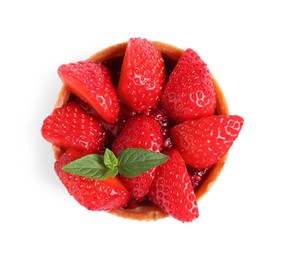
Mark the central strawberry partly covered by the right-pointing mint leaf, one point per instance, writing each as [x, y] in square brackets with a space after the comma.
[139, 132]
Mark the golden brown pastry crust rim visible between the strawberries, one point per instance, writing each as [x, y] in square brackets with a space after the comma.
[152, 212]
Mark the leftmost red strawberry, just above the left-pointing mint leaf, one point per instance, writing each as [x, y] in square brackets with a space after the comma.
[69, 126]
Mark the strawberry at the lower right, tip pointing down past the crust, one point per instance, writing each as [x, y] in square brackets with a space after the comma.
[172, 190]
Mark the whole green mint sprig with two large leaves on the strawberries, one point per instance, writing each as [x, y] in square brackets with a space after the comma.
[130, 163]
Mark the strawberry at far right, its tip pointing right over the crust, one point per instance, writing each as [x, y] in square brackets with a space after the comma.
[204, 141]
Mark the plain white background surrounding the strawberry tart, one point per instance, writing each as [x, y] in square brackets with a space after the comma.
[242, 217]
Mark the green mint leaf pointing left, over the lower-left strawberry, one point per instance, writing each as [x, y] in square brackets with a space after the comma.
[89, 166]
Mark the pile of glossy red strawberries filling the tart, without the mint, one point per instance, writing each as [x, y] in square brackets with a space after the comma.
[173, 115]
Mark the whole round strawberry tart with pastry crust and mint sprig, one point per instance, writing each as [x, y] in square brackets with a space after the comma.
[141, 129]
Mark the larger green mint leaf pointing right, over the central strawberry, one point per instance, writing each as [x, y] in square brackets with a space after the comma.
[133, 161]
